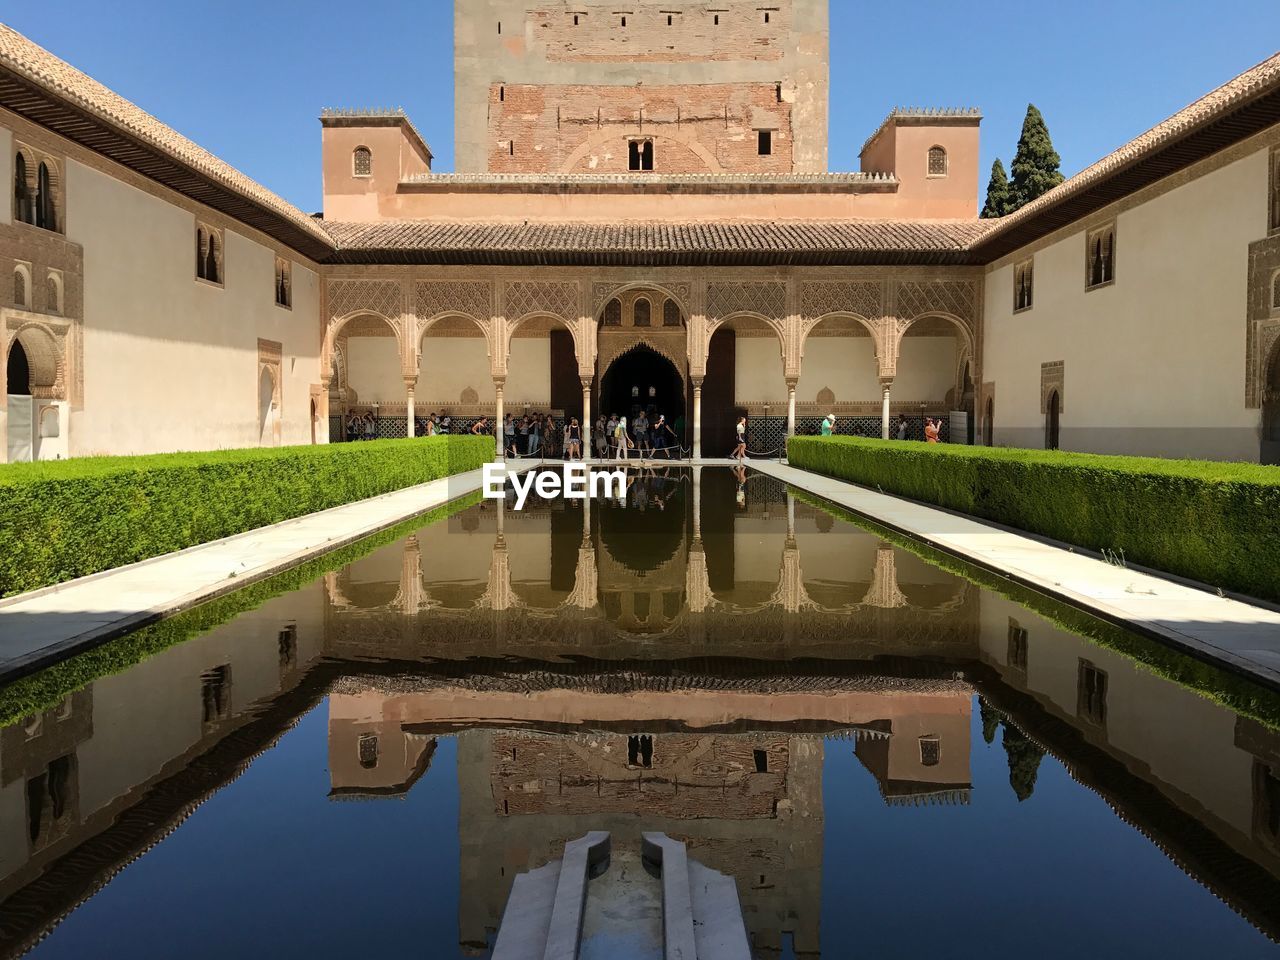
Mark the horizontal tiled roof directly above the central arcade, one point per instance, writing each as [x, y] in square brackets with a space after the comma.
[659, 244]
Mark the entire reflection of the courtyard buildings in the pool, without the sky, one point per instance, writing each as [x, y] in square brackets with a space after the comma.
[557, 644]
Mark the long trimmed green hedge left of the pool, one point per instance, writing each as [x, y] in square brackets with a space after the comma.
[67, 519]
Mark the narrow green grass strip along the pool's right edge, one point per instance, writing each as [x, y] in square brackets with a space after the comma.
[1222, 687]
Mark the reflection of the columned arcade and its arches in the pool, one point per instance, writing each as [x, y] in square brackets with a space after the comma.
[687, 565]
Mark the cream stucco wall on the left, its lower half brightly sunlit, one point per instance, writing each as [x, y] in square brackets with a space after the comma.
[171, 363]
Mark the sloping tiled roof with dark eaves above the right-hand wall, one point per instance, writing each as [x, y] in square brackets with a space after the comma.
[1236, 111]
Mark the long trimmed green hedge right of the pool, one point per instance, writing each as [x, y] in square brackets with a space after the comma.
[1214, 523]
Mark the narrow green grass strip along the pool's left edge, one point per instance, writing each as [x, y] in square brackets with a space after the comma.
[48, 688]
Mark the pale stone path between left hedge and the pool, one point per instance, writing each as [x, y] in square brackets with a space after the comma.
[45, 627]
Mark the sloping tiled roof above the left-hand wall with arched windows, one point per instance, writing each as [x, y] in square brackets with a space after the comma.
[57, 80]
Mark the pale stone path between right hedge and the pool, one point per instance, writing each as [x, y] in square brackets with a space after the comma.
[1237, 634]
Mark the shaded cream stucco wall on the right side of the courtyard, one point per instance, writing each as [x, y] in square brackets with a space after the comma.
[1155, 363]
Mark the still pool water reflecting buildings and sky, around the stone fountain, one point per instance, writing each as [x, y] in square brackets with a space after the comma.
[889, 760]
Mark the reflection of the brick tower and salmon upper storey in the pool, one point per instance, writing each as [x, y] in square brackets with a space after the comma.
[738, 779]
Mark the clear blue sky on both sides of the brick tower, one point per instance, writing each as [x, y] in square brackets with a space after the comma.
[249, 80]
